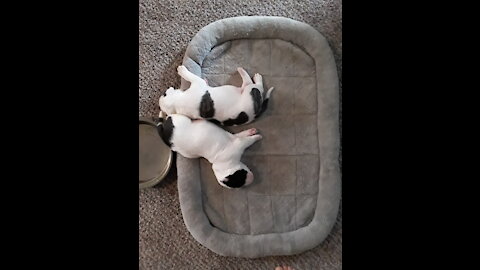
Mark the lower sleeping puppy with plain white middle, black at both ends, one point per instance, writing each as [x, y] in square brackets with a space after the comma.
[201, 138]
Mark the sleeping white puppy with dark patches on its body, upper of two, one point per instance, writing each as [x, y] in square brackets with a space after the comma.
[228, 105]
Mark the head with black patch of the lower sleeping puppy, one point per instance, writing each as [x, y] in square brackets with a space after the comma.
[233, 176]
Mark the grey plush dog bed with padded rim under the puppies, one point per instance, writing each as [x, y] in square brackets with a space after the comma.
[293, 202]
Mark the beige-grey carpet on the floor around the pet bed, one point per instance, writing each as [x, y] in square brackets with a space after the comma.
[166, 28]
